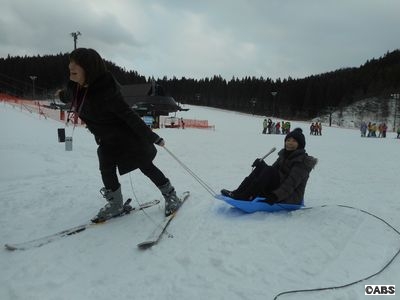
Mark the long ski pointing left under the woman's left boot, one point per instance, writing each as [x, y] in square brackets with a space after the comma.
[77, 229]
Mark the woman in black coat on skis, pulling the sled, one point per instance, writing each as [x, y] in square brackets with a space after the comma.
[125, 141]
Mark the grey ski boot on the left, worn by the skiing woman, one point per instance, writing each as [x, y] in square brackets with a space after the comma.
[113, 207]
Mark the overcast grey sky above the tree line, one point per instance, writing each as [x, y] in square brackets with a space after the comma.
[202, 38]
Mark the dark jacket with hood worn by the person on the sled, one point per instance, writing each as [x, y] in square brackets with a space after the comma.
[294, 169]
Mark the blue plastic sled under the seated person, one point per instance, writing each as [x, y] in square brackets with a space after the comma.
[258, 205]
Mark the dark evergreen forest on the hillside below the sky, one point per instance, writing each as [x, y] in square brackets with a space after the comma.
[302, 98]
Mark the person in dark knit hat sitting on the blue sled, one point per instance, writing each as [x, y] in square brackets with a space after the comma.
[283, 182]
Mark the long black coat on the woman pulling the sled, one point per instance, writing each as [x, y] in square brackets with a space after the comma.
[123, 138]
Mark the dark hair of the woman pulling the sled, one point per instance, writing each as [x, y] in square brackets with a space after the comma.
[90, 61]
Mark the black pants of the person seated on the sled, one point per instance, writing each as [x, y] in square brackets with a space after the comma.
[262, 180]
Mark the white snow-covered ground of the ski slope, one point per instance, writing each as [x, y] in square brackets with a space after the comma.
[216, 251]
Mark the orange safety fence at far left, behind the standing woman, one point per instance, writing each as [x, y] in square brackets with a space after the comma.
[42, 108]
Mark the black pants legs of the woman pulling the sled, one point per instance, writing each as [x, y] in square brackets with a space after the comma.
[110, 178]
